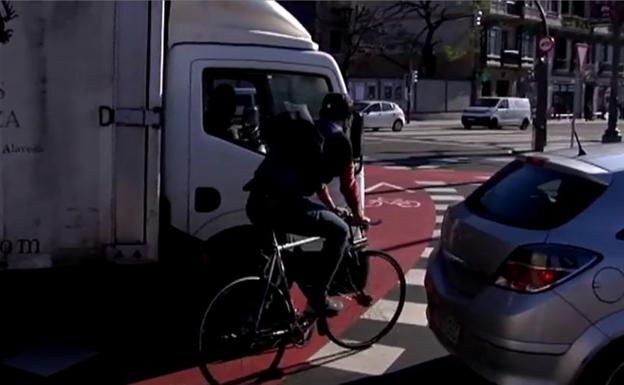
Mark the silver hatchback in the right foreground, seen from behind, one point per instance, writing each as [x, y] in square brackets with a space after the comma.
[526, 285]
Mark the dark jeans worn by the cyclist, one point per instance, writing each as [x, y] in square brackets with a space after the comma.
[302, 216]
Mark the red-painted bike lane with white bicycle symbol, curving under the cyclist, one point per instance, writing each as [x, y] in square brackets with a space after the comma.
[408, 219]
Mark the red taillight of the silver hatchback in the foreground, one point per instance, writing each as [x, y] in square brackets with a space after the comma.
[535, 268]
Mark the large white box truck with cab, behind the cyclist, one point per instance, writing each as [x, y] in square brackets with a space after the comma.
[110, 119]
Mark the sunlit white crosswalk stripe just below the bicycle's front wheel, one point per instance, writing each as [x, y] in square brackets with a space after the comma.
[373, 361]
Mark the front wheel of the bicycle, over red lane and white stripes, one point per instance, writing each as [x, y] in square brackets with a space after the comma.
[363, 286]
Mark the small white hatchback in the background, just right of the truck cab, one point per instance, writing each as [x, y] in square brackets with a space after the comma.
[380, 114]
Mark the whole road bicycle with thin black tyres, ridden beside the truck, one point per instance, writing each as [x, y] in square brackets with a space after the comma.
[252, 320]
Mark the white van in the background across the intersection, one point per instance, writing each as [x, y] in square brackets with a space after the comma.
[494, 112]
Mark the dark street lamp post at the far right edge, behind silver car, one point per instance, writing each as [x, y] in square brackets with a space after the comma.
[612, 133]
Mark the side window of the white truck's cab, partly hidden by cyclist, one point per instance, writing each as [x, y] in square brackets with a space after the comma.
[238, 103]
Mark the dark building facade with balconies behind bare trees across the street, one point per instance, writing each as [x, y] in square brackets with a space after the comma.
[494, 57]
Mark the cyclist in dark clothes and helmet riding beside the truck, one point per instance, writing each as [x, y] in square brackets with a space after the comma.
[282, 188]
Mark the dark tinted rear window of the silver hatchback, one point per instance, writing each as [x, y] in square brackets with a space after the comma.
[533, 197]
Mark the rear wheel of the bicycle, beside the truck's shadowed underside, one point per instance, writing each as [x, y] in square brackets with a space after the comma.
[231, 348]
